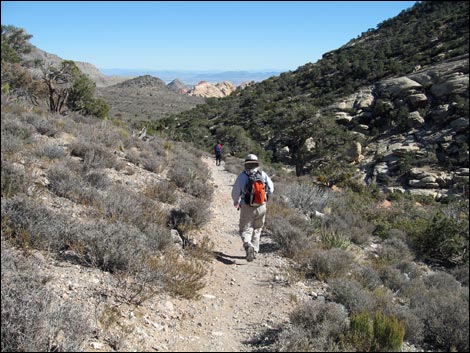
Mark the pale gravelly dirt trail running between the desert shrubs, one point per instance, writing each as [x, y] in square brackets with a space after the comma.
[241, 299]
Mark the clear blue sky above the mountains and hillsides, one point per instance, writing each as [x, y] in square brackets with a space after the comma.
[196, 35]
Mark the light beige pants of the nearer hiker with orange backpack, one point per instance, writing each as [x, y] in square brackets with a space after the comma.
[251, 223]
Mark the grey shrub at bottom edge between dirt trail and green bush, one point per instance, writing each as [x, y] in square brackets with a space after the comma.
[316, 326]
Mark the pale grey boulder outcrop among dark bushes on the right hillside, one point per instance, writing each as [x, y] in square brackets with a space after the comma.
[417, 119]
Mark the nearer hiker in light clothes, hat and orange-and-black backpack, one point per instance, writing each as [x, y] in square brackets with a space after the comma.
[250, 194]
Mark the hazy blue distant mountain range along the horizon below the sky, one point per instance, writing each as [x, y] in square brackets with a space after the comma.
[191, 78]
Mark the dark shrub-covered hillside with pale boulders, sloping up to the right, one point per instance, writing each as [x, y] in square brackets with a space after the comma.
[388, 108]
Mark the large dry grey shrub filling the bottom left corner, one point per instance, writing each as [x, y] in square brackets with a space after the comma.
[32, 319]
